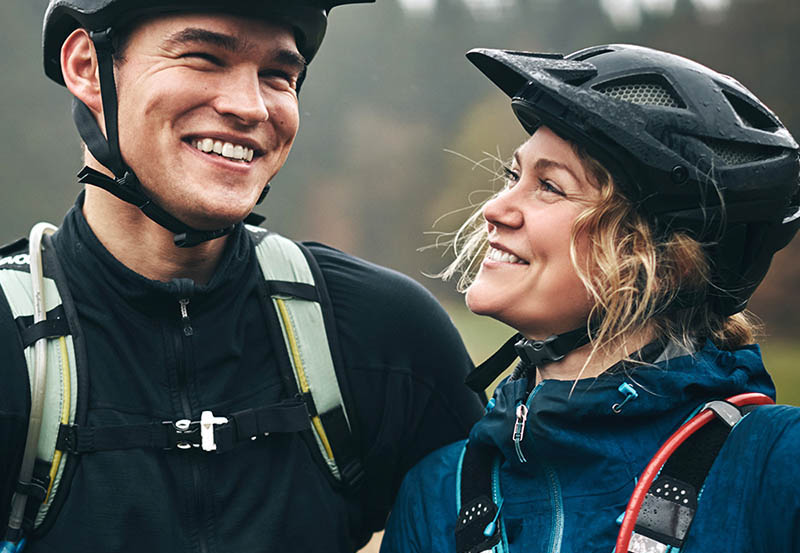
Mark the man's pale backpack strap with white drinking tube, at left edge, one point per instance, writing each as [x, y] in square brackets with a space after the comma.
[37, 306]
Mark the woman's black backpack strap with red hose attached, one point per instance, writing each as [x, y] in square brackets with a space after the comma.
[664, 501]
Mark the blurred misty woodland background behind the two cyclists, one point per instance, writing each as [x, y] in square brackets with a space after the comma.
[388, 99]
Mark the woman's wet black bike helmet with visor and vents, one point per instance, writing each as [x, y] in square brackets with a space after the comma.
[691, 148]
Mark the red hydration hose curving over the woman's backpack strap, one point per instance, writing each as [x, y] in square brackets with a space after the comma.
[651, 471]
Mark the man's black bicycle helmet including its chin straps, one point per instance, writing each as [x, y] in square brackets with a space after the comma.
[102, 18]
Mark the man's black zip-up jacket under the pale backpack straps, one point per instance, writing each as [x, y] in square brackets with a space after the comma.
[404, 363]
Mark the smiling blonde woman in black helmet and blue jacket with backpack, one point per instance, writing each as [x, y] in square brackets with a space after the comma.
[636, 222]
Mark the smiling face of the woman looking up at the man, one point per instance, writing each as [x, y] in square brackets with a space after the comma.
[527, 279]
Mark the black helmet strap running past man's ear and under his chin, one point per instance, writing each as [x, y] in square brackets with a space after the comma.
[125, 184]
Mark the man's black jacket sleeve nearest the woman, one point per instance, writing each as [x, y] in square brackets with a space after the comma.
[405, 366]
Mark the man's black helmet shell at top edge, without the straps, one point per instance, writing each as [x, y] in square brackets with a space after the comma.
[307, 17]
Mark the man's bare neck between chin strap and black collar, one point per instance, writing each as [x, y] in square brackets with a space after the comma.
[144, 246]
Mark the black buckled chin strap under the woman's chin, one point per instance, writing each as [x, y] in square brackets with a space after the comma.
[532, 353]
